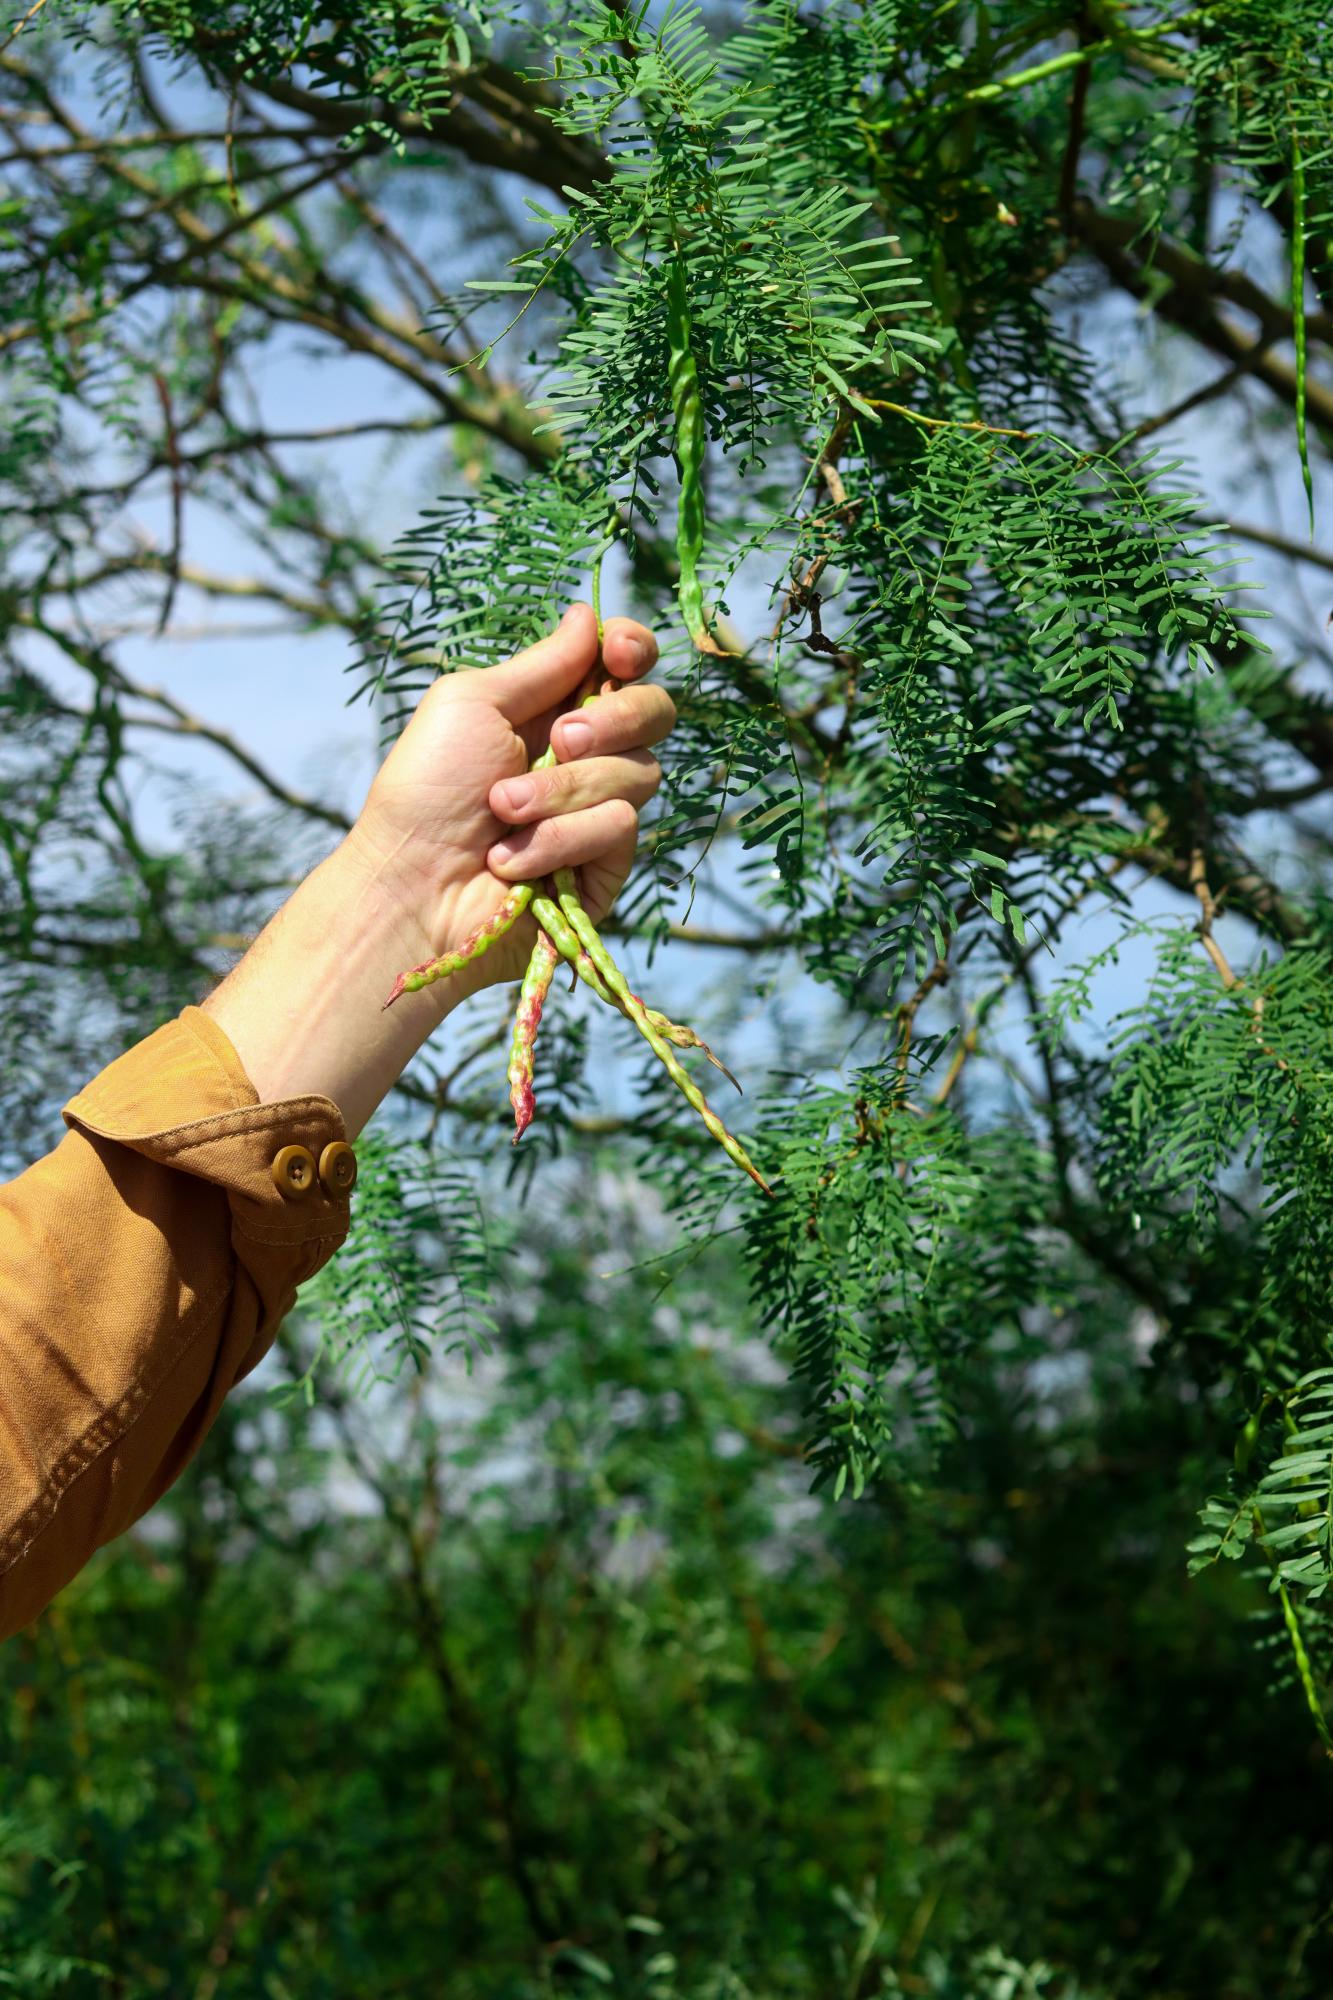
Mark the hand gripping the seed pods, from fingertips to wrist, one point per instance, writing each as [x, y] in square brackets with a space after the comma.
[447, 829]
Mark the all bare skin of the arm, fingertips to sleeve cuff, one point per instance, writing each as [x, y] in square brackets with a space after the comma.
[431, 855]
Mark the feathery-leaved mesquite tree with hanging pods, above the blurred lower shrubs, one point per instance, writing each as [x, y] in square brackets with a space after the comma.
[806, 347]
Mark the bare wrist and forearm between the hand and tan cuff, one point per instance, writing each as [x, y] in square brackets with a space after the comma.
[305, 1007]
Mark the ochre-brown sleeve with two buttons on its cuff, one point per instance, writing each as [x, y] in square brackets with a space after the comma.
[145, 1269]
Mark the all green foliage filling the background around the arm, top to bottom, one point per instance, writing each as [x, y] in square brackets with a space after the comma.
[994, 855]
